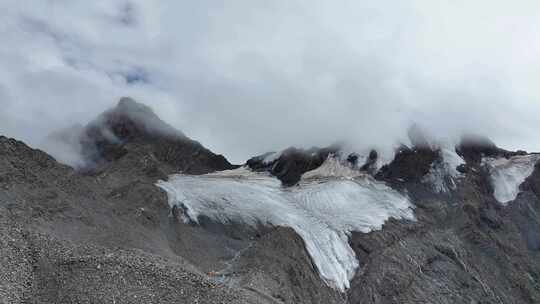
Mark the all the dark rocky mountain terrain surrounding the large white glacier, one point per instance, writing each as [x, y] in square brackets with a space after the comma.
[105, 233]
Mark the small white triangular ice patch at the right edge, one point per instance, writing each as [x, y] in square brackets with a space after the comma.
[507, 174]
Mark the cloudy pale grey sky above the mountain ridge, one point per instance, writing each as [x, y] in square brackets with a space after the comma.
[244, 77]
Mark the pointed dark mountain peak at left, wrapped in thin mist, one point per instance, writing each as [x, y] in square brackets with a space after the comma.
[134, 127]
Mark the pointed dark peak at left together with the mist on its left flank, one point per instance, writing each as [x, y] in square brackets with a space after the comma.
[131, 128]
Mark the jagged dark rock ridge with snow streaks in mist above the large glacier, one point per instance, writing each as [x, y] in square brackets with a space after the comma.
[435, 163]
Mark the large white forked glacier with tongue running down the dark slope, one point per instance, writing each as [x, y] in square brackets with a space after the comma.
[322, 211]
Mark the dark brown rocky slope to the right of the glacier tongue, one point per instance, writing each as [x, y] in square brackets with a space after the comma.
[465, 247]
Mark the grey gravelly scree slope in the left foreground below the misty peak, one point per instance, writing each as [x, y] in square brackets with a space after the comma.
[72, 239]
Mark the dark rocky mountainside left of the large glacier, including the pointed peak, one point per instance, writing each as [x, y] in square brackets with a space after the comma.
[107, 234]
